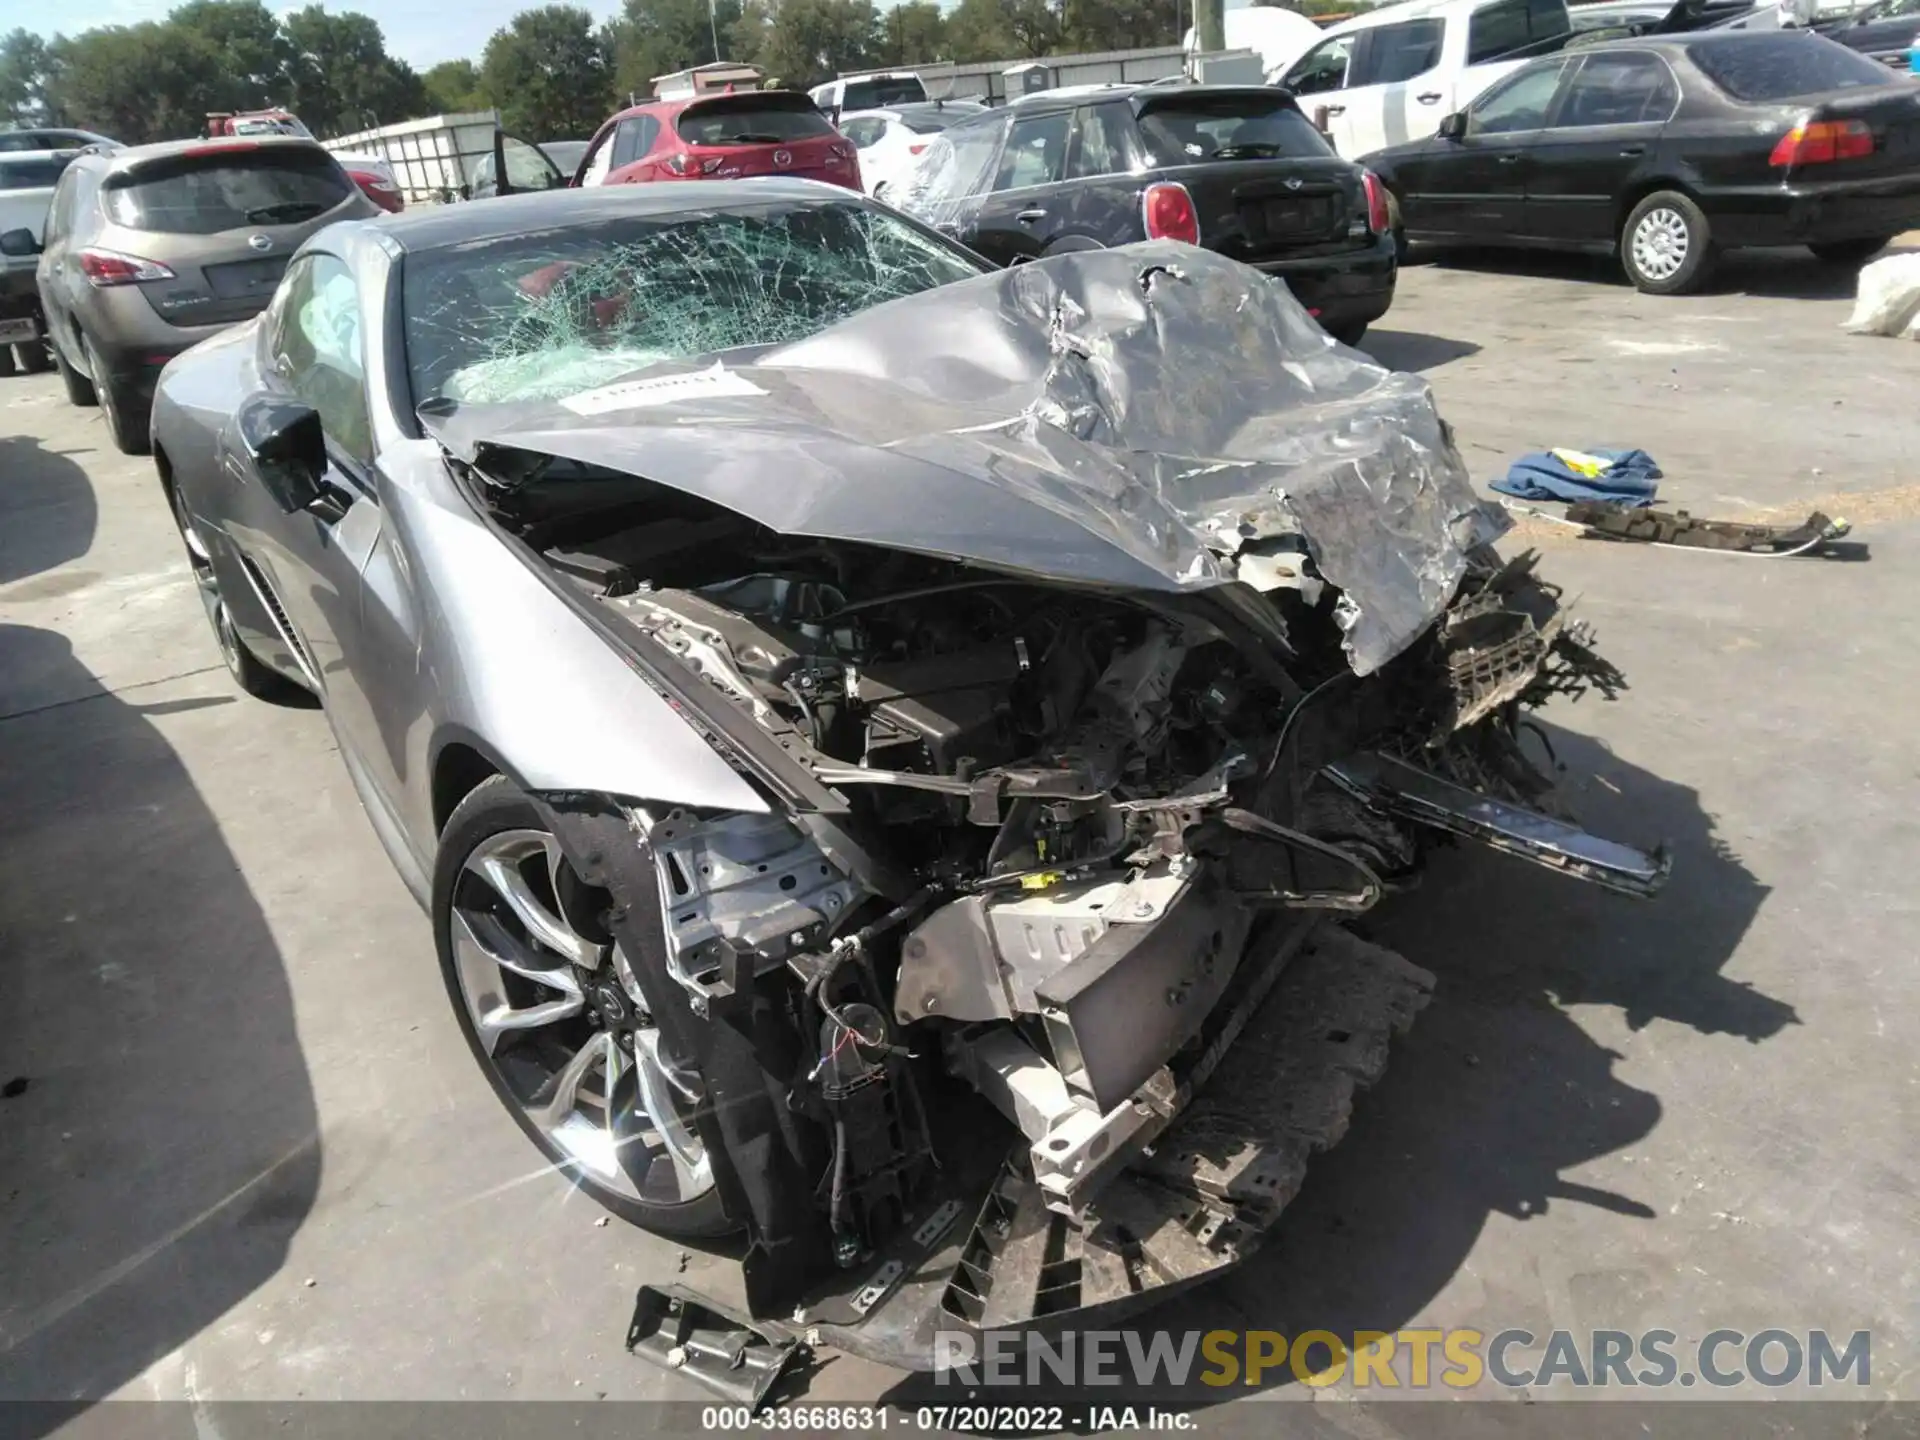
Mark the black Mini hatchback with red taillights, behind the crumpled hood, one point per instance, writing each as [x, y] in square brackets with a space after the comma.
[1237, 170]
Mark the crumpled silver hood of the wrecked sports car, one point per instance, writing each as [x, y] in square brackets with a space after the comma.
[1126, 418]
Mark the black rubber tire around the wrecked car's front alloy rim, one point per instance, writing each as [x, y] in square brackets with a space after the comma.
[491, 811]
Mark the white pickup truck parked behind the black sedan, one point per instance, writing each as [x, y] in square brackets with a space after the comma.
[1395, 74]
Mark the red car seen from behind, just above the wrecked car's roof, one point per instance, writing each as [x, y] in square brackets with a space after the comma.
[721, 137]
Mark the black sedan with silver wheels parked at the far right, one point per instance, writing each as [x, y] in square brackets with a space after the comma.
[1669, 151]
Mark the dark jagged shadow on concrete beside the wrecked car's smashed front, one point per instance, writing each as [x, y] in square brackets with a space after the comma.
[1497, 1092]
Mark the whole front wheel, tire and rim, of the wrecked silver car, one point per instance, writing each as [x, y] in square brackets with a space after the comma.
[552, 1013]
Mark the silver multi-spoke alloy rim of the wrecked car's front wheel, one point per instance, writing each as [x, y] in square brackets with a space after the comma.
[564, 1026]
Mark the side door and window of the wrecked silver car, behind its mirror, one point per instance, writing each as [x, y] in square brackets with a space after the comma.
[310, 560]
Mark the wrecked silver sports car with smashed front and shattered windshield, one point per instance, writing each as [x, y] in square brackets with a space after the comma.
[886, 742]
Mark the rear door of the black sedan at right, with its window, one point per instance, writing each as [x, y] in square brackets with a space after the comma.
[1608, 122]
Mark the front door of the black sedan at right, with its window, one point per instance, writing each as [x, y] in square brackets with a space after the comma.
[1474, 185]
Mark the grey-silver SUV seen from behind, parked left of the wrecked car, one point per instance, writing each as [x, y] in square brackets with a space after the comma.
[155, 249]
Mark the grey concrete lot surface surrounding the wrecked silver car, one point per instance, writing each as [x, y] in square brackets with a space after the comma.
[247, 1157]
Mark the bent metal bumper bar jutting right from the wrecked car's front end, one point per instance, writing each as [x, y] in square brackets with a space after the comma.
[1426, 800]
